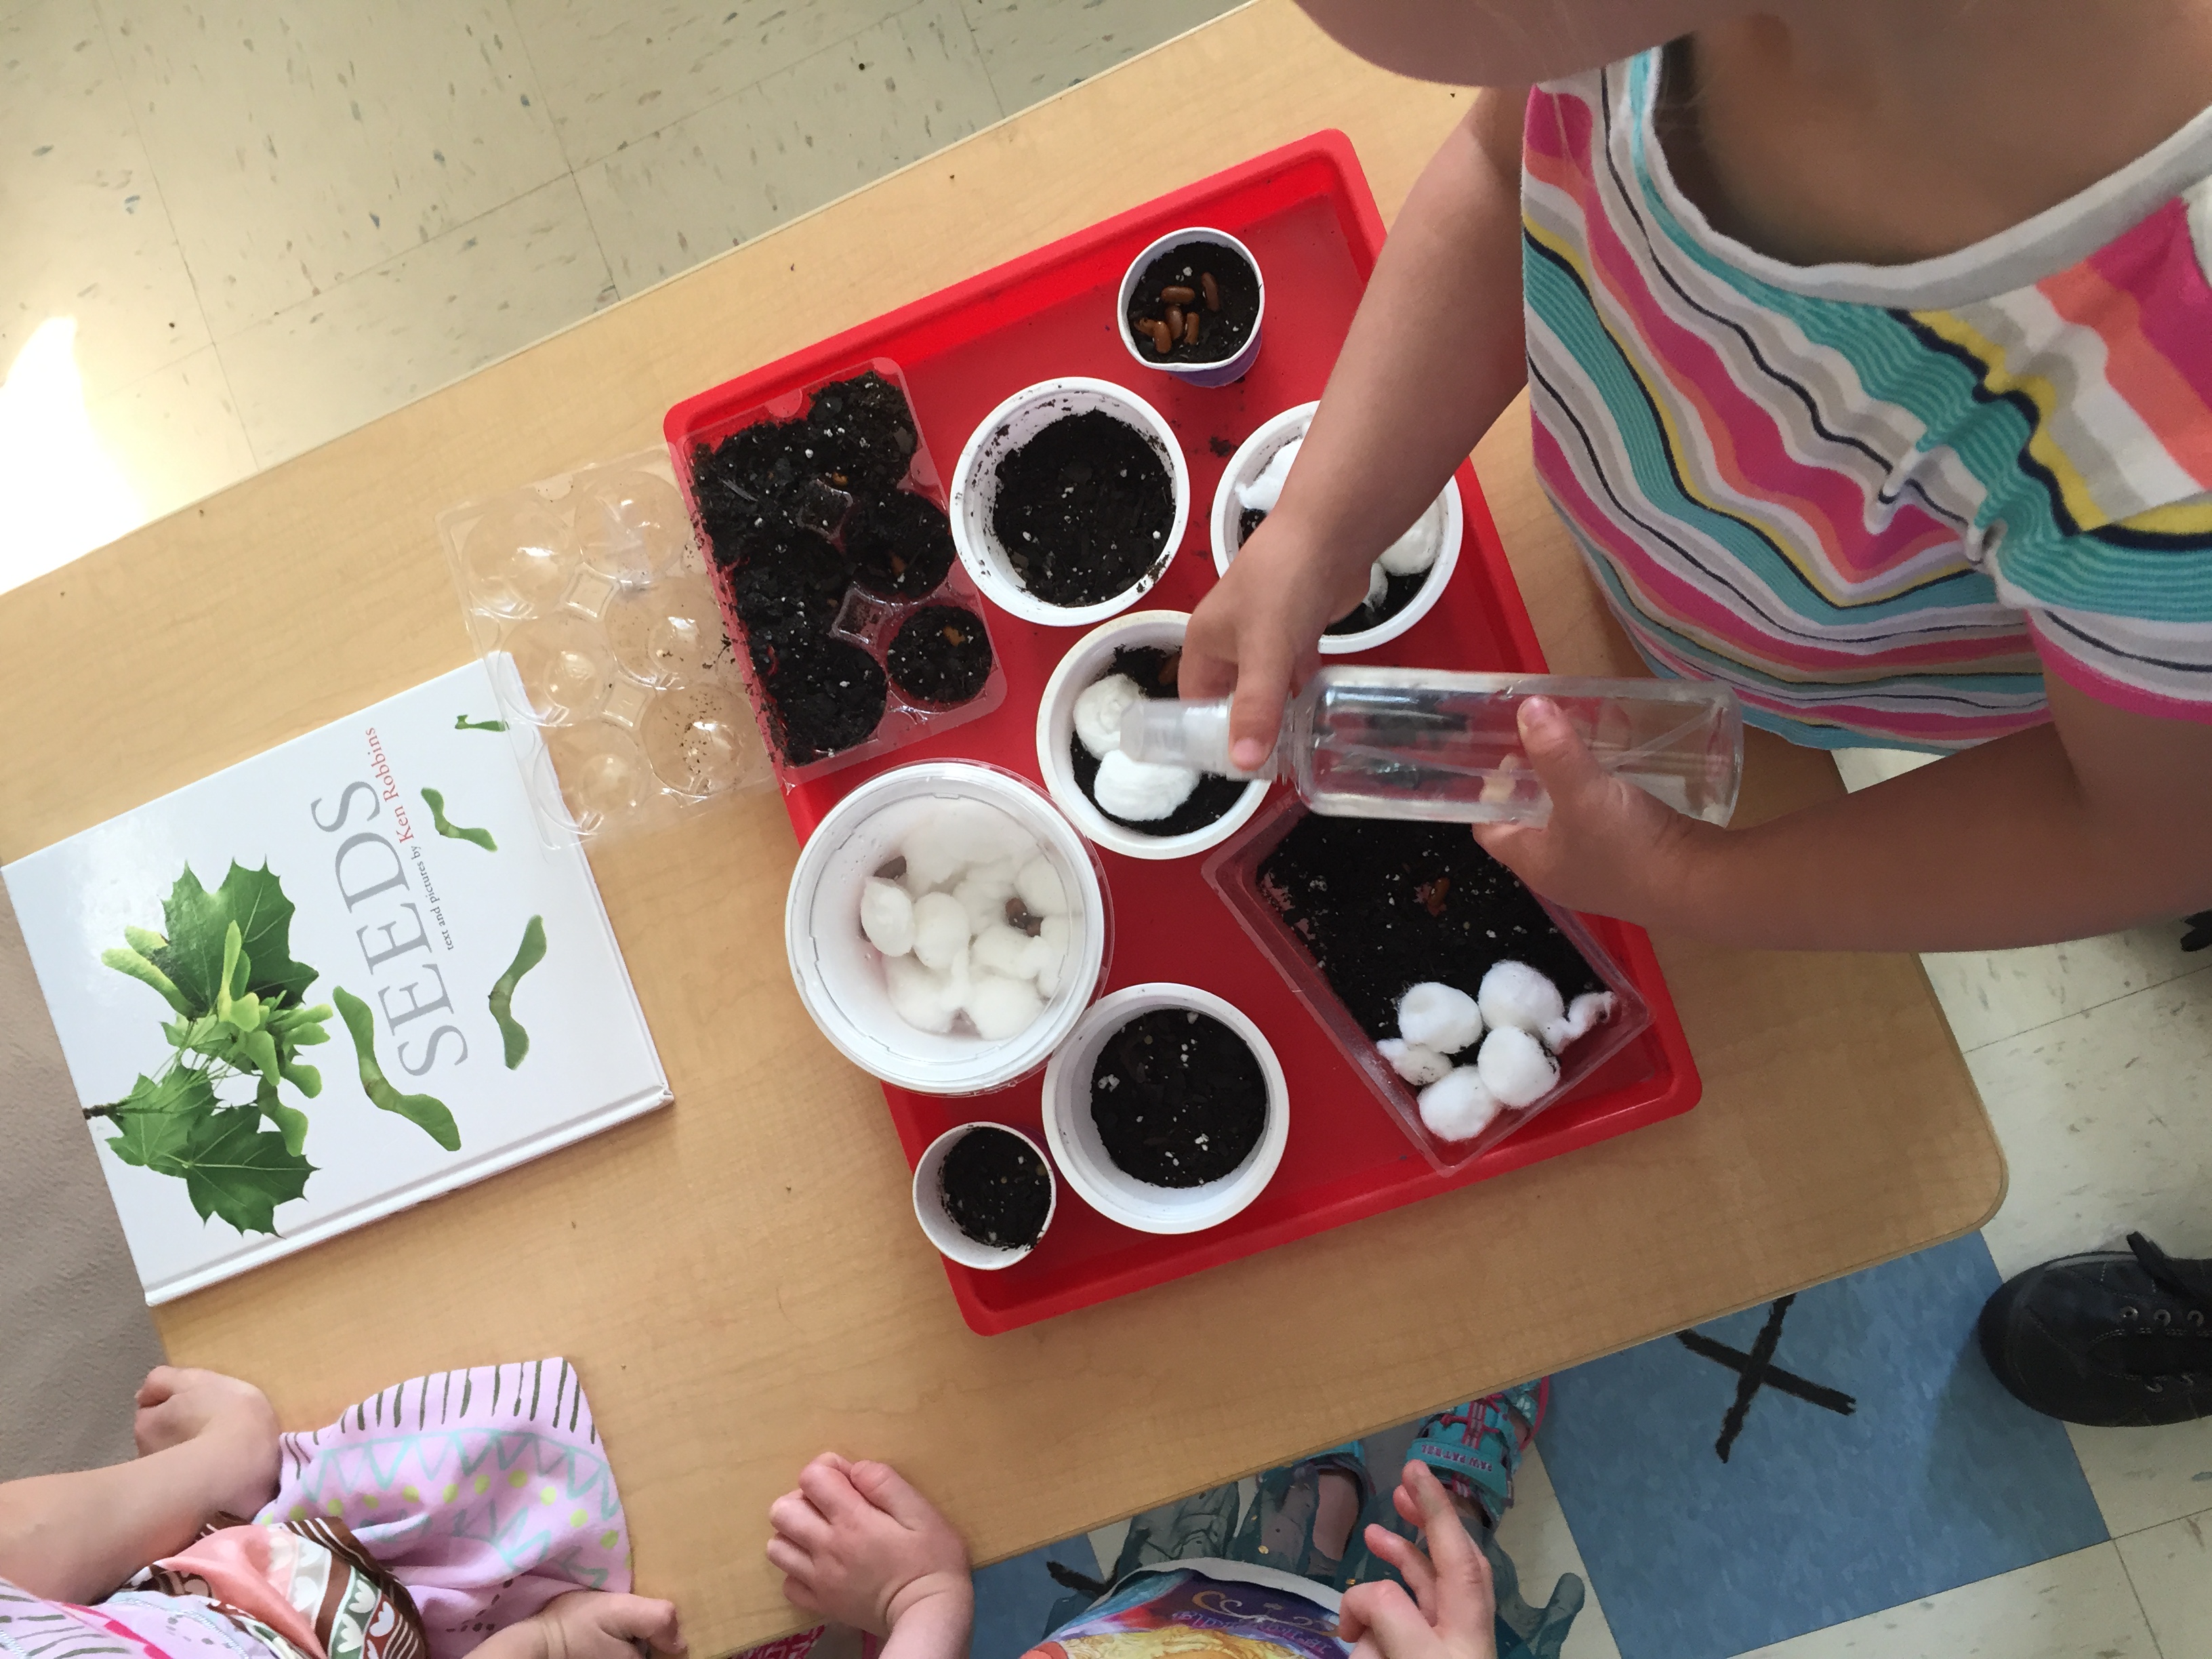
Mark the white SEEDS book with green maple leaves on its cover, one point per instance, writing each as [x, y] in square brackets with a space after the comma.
[328, 983]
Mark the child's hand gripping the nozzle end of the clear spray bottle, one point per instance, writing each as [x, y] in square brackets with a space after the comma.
[1260, 634]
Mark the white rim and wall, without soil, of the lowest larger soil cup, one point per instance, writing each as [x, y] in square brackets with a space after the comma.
[1083, 1156]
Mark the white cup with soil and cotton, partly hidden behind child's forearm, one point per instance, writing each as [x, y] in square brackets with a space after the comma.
[1401, 587]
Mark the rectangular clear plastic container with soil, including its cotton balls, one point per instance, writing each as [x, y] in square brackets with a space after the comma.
[1359, 915]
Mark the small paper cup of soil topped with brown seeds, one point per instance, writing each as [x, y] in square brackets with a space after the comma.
[1191, 306]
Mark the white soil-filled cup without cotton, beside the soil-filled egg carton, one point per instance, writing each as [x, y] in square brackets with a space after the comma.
[1070, 501]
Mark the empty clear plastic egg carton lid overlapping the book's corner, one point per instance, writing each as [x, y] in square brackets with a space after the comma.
[592, 601]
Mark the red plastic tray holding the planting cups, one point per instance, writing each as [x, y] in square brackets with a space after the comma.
[1313, 225]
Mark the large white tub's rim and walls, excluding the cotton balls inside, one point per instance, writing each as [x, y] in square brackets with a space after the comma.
[839, 974]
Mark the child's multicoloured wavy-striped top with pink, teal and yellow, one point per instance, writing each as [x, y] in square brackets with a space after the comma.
[1879, 501]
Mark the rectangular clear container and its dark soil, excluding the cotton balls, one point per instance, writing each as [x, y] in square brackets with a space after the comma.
[1355, 912]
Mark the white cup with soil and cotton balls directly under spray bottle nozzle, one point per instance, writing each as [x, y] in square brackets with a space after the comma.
[1147, 813]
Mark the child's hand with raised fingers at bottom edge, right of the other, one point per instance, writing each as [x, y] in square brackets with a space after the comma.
[1452, 1609]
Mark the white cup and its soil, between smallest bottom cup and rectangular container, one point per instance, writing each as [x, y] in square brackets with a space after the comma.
[1167, 1109]
